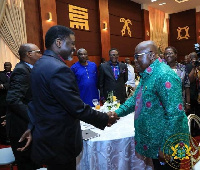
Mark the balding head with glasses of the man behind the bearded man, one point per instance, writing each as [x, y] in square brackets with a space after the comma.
[29, 53]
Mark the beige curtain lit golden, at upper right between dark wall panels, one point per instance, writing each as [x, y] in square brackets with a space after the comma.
[158, 28]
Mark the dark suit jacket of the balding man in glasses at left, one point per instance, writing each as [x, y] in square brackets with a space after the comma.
[18, 97]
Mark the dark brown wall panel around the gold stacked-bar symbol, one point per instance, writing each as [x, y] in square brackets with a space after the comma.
[88, 39]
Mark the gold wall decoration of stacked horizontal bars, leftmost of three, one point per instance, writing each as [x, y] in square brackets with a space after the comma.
[78, 17]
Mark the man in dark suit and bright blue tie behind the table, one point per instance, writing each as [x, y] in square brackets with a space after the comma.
[112, 77]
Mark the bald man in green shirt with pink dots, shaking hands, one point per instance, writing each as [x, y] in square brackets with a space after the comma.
[158, 106]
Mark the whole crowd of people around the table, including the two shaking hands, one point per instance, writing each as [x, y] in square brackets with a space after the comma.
[44, 100]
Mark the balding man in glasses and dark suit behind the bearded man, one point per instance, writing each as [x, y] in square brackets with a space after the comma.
[18, 97]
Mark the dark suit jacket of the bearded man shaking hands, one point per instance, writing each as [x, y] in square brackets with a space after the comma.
[55, 111]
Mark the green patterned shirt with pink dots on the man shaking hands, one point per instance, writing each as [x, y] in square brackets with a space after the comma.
[162, 114]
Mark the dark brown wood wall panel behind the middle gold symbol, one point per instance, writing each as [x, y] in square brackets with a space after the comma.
[128, 10]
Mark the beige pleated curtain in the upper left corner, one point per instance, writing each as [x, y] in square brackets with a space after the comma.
[12, 26]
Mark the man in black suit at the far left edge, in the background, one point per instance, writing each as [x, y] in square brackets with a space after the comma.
[4, 84]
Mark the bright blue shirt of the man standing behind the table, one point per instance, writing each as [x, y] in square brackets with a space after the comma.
[86, 77]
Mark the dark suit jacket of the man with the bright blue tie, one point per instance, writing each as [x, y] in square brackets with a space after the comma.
[108, 83]
